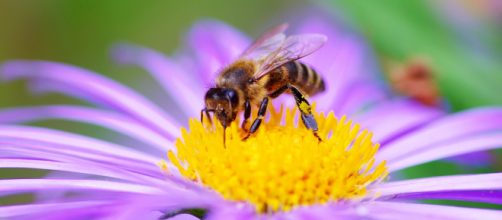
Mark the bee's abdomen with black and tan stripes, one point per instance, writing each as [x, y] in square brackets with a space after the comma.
[304, 78]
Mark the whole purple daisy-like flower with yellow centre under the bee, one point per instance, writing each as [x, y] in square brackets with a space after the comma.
[119, 181]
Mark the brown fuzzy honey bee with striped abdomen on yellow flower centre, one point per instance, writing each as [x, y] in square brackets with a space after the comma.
[267, 69]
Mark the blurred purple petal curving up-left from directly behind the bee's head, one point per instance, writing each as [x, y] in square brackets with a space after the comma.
[169, 74]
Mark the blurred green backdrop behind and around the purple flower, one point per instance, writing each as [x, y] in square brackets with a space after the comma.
[460, 39]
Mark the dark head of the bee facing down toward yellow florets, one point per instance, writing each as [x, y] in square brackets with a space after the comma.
[224, 102]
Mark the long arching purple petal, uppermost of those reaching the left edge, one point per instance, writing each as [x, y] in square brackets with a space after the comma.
[69, 78]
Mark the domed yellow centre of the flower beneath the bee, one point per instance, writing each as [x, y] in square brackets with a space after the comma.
[283, 165]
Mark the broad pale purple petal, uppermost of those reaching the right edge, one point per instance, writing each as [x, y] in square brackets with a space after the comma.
[450, 128]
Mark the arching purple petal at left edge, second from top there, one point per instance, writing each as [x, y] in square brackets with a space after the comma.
[102, 118]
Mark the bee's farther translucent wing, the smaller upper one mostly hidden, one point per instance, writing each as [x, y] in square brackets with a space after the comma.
[268, 42]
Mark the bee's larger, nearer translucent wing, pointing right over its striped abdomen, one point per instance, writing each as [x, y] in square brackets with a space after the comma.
[292, 48]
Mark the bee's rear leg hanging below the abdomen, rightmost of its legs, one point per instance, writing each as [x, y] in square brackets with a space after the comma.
[305, 110]
